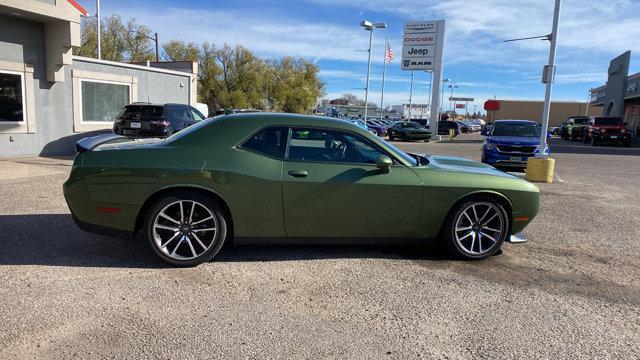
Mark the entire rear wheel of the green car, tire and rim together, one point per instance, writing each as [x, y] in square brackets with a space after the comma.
[186, 229]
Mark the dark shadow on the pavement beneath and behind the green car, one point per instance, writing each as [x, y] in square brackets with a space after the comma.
[55, 240]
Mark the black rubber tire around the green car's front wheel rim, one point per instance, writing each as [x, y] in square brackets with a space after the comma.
[453, 245]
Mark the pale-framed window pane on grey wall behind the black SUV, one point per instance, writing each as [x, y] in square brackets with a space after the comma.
[103, 101]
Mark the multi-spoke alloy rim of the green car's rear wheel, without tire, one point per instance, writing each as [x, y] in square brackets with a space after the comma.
[185, 229]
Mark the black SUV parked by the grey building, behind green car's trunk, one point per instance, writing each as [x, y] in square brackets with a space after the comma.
[155, 120]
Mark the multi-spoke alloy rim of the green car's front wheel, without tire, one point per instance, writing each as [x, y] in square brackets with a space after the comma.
[479, 227]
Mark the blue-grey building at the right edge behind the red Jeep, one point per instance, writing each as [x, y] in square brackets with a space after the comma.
[620, 96]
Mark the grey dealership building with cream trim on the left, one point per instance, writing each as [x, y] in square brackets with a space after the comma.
[50, 98]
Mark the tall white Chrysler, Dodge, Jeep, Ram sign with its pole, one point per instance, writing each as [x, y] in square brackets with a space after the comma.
[422, 45]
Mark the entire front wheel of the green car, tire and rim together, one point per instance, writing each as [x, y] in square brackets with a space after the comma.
[477, 228]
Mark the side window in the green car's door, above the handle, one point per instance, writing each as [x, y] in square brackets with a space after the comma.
[331, 146]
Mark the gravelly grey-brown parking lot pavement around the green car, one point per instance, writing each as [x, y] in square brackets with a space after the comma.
[572, 291]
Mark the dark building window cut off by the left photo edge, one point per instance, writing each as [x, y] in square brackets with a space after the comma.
[12, 104]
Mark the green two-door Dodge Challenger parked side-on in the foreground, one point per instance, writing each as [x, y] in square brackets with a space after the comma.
[282, 177]
